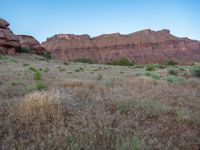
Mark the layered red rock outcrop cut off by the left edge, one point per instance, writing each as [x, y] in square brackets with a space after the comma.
[9, 42]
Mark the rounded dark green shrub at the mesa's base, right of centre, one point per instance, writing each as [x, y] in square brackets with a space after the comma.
[122, 62]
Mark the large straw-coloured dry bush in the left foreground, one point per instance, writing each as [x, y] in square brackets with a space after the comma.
[42, 107]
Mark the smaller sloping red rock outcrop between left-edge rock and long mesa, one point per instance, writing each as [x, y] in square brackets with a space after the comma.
[29, 42]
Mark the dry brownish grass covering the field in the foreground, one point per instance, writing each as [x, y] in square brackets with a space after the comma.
[112, 113]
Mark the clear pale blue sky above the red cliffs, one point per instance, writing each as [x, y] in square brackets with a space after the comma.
[45, 18]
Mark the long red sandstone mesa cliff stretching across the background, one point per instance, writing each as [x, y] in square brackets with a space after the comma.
[145, 46]
